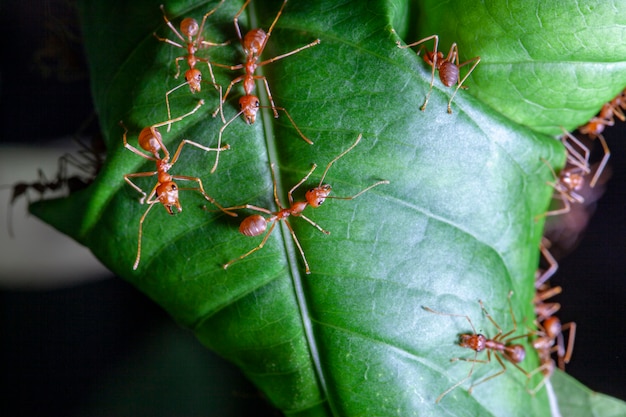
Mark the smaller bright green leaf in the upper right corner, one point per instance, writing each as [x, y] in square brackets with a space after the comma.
[544, 64]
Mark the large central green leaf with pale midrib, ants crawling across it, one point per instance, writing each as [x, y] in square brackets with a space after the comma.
[457, 222]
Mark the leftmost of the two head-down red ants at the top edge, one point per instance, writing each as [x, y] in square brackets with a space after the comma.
[193, 32]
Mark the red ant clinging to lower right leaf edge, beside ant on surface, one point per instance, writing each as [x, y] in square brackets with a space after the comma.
[550, 333]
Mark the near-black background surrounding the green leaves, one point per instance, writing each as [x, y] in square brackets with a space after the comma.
[63, 351]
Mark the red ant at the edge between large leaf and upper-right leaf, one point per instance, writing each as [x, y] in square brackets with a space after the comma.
[448, 67]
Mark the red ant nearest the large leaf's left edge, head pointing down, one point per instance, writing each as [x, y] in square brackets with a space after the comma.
[165, 191]
